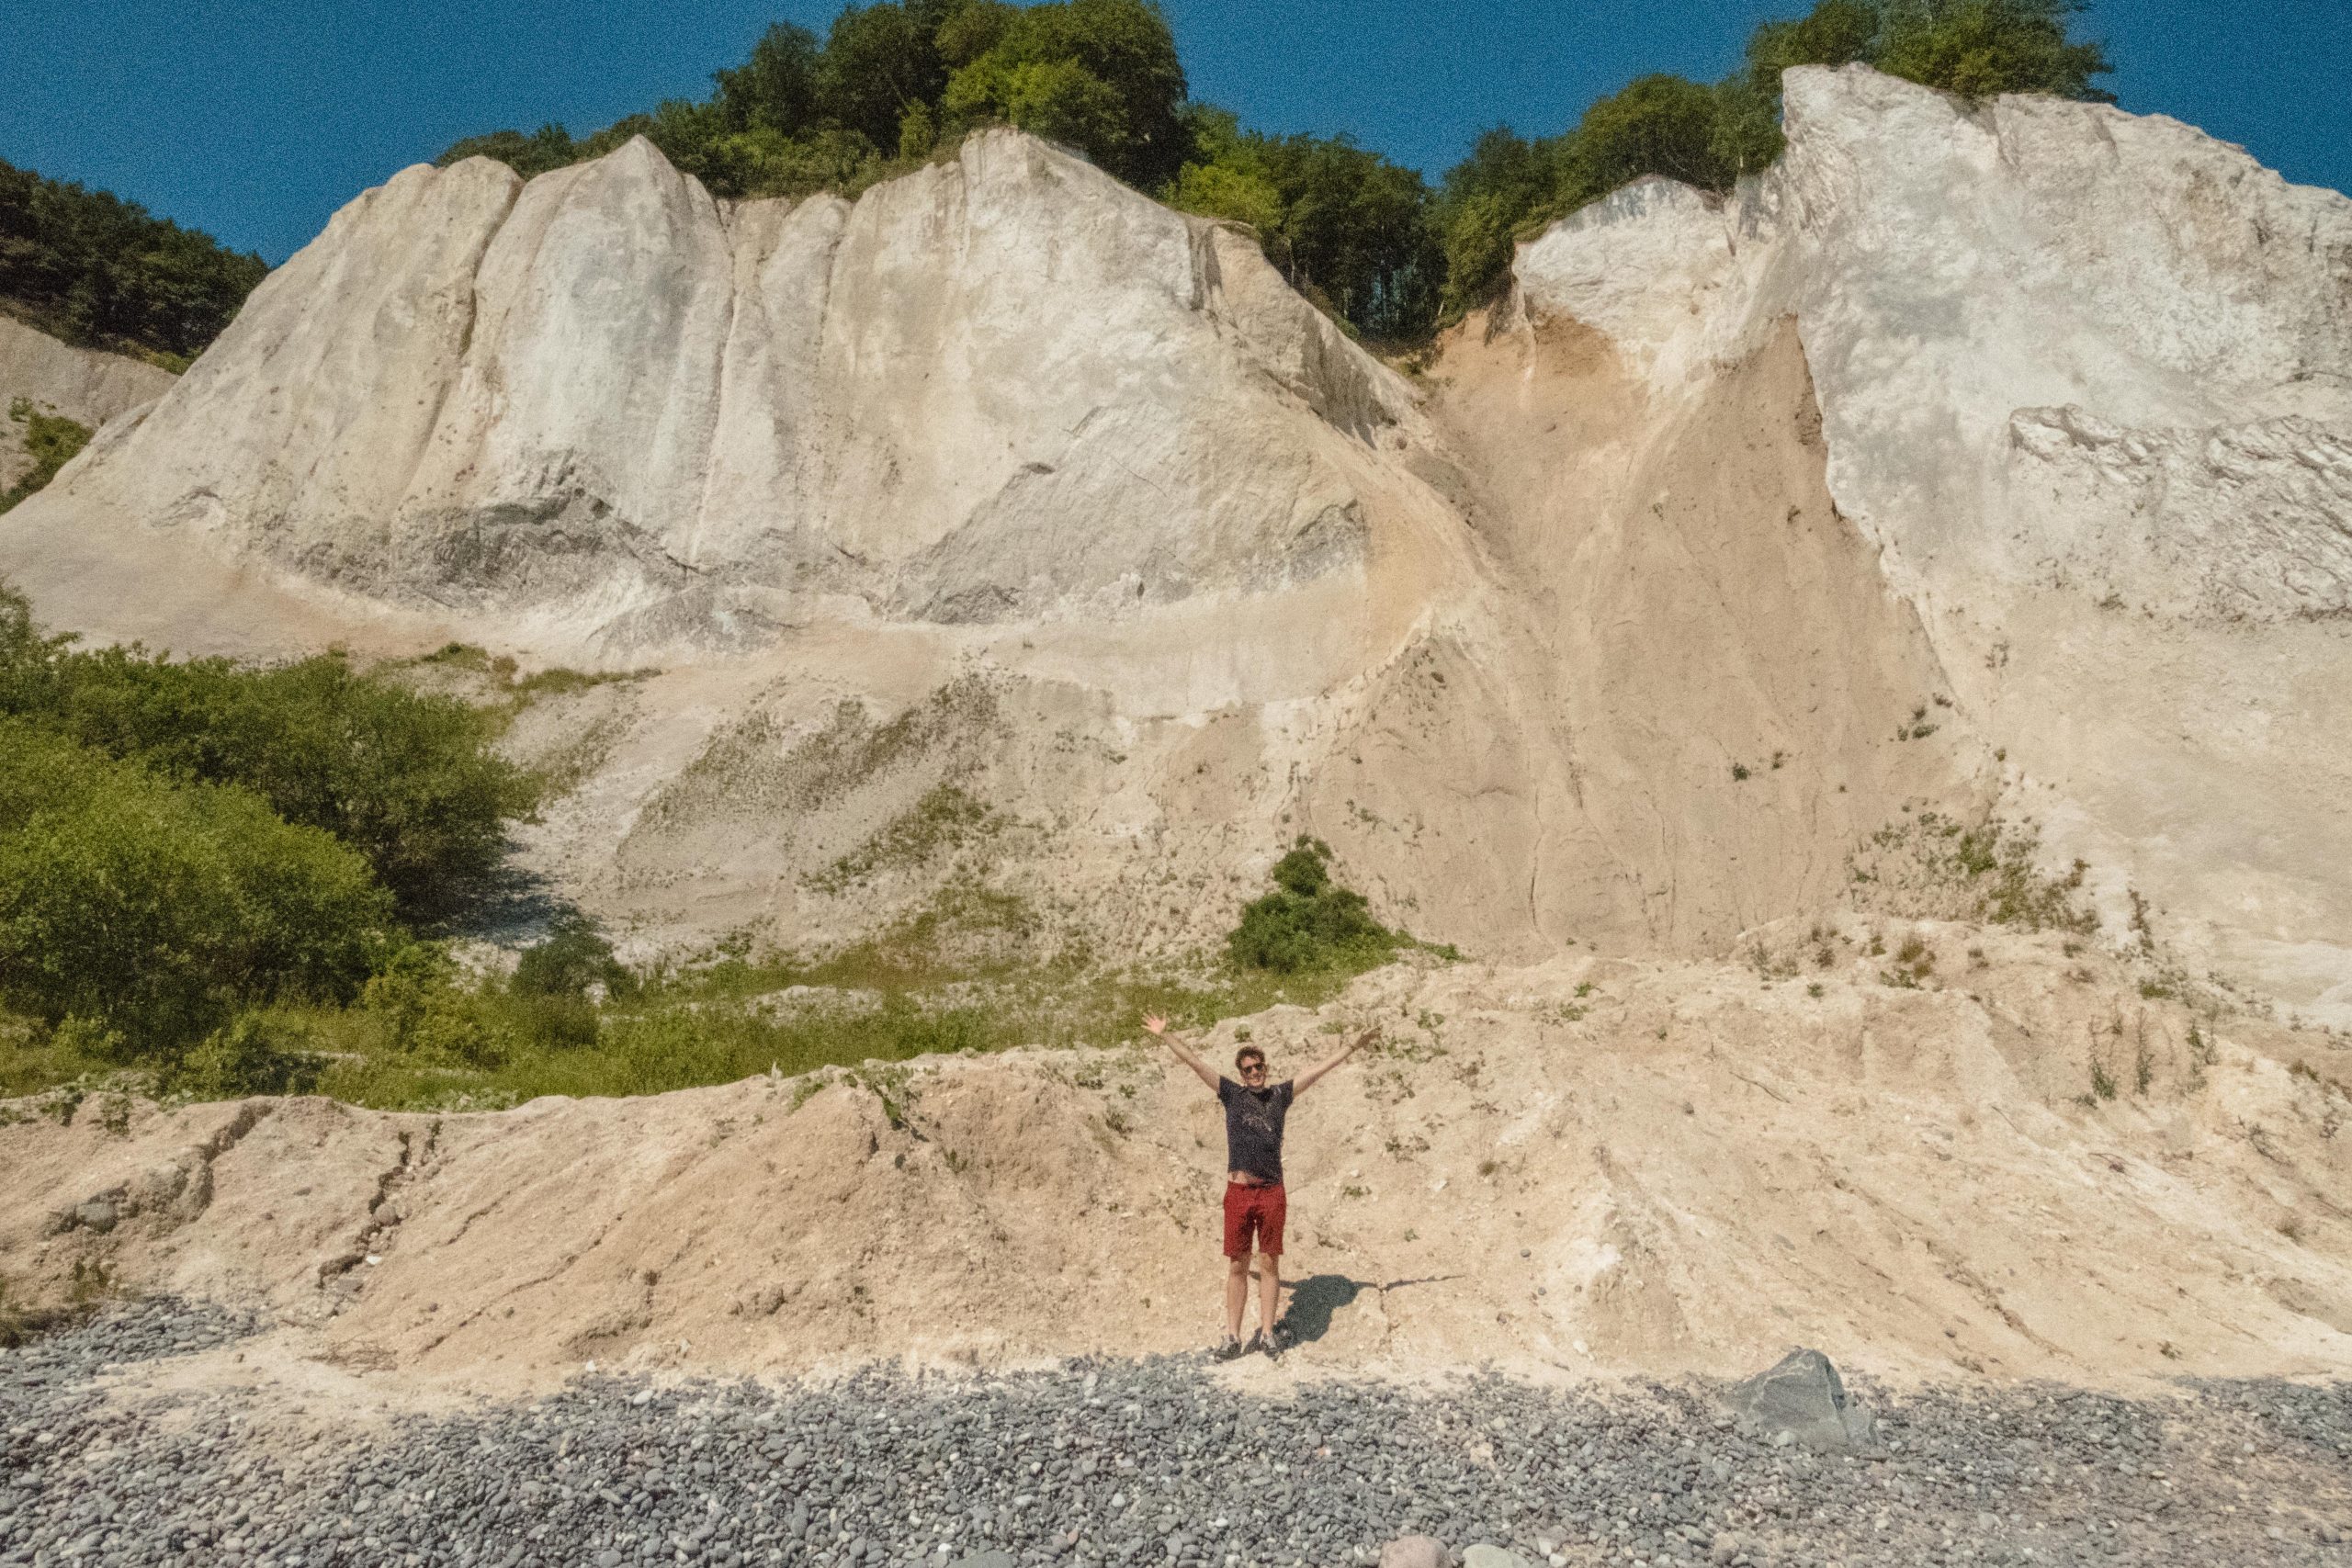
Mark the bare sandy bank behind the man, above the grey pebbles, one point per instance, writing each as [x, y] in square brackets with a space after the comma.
[1579, 1170]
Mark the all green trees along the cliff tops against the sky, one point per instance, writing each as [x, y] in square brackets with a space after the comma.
[904, 81]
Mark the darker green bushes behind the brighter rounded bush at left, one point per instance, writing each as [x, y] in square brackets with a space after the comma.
[403, 777]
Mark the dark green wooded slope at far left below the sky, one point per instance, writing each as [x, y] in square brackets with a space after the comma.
[100, 272]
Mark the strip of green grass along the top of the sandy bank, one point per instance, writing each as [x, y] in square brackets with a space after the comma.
[429, 1038]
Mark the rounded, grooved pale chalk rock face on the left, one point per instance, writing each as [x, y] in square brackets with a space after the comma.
[620, 415]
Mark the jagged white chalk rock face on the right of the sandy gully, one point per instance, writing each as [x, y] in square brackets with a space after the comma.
[2087, 387]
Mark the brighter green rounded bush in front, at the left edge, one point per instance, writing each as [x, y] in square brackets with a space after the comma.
[152, 911]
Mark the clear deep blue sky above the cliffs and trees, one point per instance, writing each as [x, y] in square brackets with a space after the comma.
[258, 121]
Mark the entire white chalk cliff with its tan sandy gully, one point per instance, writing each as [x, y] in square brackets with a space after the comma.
[1610, 629]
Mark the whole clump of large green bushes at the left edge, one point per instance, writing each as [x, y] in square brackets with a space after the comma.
[187, 843]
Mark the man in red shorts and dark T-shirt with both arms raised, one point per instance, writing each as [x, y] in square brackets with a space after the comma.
[1255, 1200]
